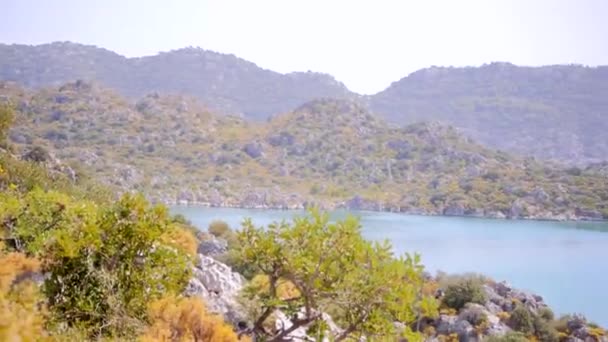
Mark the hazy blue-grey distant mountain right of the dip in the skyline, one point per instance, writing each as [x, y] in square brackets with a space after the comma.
[552, 112]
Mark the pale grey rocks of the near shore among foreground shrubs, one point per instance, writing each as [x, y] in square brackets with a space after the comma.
[495, 316]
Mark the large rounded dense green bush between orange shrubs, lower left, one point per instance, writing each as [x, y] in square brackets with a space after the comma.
[103, 277]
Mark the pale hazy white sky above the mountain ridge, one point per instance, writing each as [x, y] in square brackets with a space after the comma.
[365, 44]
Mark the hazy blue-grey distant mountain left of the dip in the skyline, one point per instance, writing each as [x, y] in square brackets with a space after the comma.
[224, 82]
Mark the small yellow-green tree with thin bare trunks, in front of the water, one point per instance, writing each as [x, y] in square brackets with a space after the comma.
[334, 270]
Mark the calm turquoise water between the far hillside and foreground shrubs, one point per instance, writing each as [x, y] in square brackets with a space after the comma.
[566, 263]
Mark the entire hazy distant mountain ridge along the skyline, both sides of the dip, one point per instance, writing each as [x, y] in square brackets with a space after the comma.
[553, 112]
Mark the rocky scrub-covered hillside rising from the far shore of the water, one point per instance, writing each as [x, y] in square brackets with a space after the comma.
[330, 152]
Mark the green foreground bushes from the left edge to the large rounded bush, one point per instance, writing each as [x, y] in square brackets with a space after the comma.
[104, 263]
